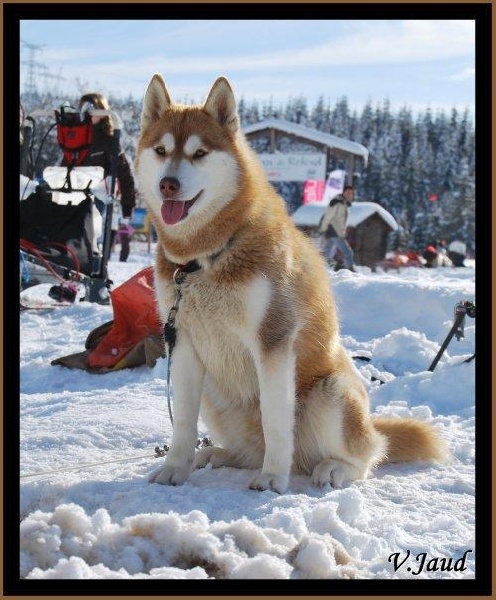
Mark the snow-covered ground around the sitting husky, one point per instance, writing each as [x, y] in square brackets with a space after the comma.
[87, 447]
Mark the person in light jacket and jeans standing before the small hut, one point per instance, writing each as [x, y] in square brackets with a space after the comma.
[333, 227]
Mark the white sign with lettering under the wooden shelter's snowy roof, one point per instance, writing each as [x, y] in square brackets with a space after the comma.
[293, 167]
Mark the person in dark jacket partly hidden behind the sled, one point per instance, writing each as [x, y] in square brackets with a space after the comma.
[100, 155]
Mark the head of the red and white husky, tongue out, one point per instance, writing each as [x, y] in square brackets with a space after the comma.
[187, 159]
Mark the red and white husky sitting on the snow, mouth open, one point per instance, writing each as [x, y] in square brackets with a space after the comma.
[258, 351]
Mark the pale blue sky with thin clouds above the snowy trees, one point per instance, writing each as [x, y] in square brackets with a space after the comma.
[417, 63]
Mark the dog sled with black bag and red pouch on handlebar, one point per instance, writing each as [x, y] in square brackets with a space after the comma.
[64, 239]
